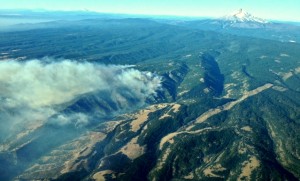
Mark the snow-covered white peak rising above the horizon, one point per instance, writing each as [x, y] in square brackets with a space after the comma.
[241, 16]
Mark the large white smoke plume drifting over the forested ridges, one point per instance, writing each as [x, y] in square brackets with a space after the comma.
[32, 89]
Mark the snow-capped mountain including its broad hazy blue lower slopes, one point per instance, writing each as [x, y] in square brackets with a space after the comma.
[243, 23]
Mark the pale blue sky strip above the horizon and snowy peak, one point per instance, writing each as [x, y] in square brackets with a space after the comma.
[268, 9]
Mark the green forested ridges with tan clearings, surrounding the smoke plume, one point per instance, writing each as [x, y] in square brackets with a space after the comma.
[228, 107]
